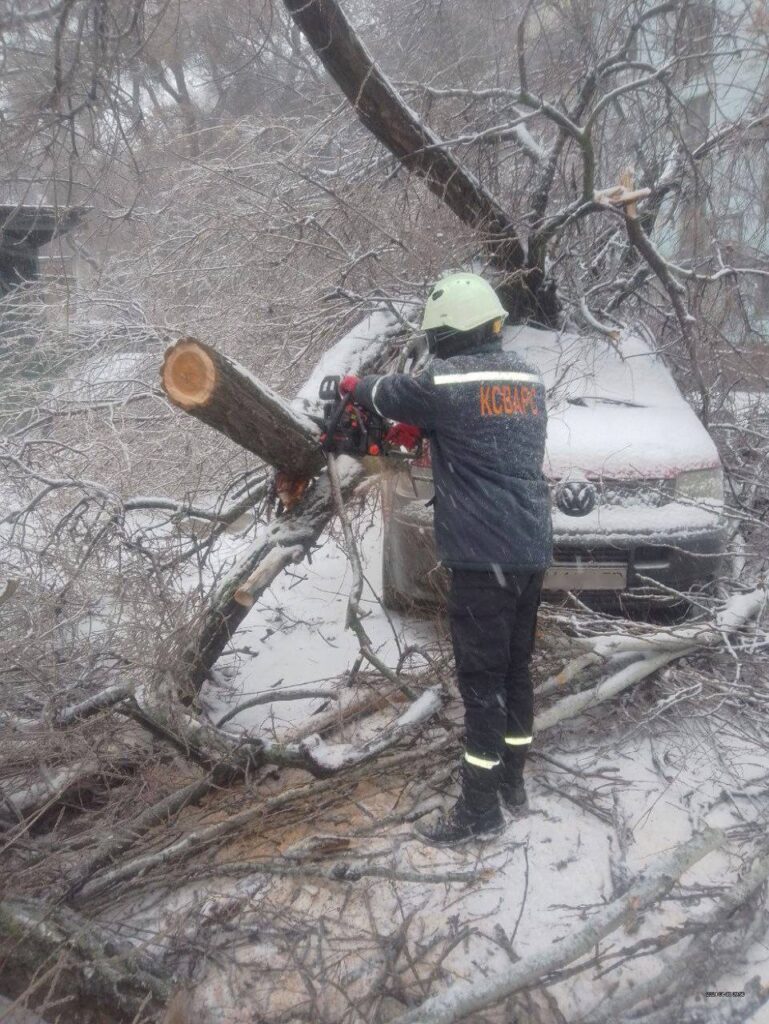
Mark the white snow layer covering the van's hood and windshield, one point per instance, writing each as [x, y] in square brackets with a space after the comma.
[613, 412]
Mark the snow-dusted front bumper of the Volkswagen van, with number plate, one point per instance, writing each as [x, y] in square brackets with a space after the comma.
[644, 553]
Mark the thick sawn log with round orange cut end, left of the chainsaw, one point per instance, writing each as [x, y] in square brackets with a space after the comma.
[225, 396]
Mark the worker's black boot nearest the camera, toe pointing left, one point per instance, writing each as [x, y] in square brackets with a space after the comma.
[476, 816]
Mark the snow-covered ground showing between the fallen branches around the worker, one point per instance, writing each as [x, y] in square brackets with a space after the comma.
[633, 791]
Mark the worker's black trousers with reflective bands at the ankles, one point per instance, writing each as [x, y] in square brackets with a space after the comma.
[493, 619]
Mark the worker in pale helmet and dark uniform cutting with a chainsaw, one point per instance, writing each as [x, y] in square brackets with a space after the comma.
[483, 410]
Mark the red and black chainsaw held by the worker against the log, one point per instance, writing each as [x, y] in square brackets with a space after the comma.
[351, 430]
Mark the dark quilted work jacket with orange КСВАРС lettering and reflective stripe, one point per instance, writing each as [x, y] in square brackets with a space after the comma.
[485, 415]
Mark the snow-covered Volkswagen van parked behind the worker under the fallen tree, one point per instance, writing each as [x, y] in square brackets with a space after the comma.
[636, 480]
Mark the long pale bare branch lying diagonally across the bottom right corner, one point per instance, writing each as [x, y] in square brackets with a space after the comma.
[465, 998]
